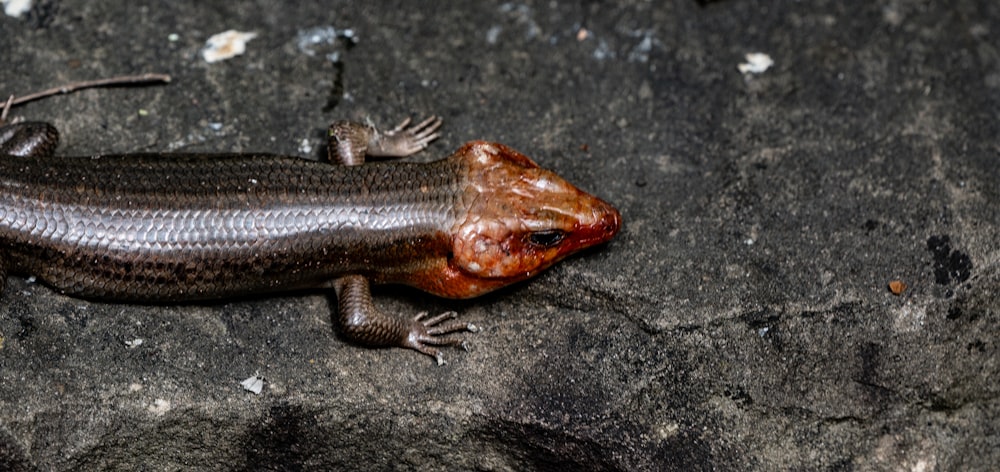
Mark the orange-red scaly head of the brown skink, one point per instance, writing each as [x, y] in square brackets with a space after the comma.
[521, 219]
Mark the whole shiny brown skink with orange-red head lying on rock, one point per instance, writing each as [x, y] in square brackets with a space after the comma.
[182, 227]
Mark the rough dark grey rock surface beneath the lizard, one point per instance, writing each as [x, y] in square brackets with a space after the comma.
[741, 321]
